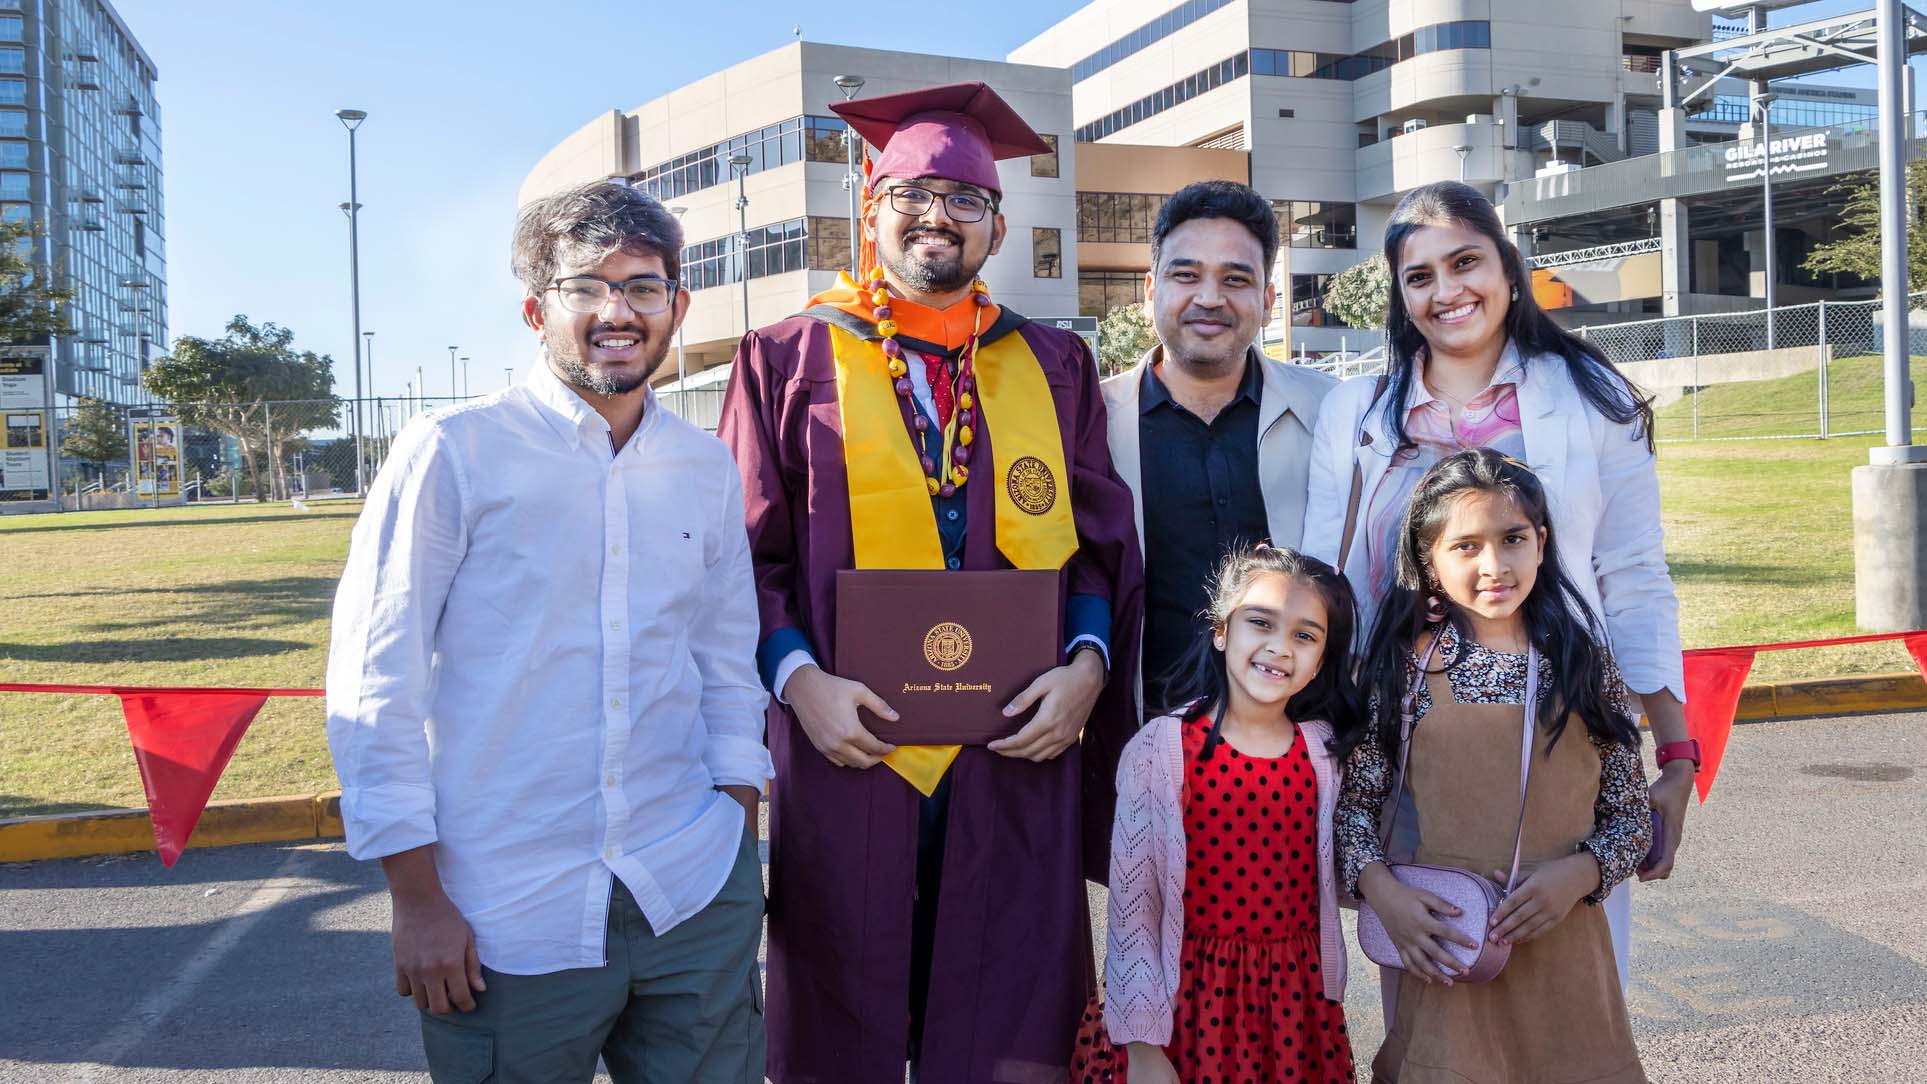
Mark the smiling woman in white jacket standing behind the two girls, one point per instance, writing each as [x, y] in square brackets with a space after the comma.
[1473, 361]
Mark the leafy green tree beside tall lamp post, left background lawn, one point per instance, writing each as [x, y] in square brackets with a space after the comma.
[253, 386]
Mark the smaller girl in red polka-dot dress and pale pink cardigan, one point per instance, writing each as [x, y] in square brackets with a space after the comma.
[1225, 954]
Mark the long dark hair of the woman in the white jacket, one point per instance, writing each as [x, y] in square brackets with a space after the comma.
[1525, 323]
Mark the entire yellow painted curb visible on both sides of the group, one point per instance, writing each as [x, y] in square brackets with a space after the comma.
[319, 817]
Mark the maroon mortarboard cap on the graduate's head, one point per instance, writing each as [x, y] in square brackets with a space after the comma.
[953, 132]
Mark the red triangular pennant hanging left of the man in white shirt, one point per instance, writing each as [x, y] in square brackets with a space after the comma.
[182, 744]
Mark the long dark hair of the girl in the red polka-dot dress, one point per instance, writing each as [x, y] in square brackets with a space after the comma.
[1201, 675]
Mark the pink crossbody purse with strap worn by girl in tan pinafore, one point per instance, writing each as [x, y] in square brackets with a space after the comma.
[1475, 898]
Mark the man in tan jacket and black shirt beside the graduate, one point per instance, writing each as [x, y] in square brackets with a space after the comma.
[1211, 436]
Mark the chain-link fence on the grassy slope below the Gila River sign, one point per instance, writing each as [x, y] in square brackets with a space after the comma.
[1795, 373]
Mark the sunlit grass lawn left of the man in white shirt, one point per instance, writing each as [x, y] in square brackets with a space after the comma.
[226, 596]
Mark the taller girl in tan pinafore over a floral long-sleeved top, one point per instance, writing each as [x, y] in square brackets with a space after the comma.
[1479, 602]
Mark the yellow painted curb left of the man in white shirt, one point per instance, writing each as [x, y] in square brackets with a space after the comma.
[130, 831]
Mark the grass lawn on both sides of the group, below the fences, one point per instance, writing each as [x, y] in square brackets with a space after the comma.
[1760, 538]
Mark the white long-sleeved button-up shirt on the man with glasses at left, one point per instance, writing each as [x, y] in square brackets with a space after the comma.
[544, 665]
